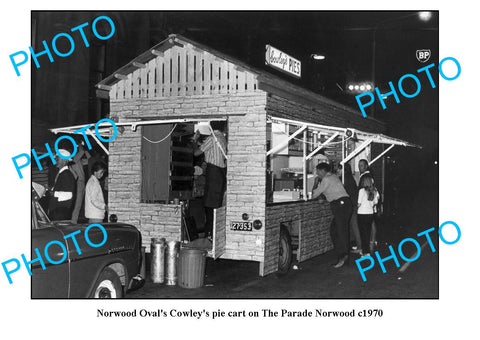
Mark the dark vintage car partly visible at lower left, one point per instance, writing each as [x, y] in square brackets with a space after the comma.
[107, 271]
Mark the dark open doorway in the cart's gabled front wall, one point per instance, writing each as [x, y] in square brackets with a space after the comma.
[173, 173]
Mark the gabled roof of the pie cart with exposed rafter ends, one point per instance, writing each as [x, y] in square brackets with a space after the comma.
[266, 81]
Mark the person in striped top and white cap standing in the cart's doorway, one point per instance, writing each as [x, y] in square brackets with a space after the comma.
[214, 147]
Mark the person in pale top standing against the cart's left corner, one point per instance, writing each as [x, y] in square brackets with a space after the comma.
[95, 206]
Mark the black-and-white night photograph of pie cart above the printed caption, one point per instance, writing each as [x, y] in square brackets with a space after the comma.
[213, 147]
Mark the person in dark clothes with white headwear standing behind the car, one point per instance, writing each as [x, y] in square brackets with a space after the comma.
[62, 199]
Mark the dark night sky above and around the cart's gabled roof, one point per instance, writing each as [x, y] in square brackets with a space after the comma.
[63, 91]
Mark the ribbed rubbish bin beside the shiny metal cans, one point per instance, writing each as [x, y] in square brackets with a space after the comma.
[192, 267]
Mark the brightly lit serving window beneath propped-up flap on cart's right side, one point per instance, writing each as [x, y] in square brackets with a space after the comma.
[296, 147]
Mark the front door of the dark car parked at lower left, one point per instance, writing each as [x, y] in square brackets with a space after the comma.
[51, 282]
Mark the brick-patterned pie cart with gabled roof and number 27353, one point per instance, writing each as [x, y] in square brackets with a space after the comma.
[274, 130]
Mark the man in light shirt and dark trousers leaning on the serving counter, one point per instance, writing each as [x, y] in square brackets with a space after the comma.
[341, 207]
